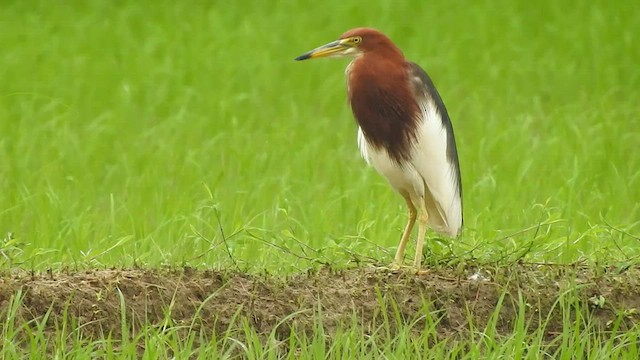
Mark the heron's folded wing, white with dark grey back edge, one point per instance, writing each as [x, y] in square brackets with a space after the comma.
[436, 157]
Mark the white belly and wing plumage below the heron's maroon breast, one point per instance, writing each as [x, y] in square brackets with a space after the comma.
[428, 176]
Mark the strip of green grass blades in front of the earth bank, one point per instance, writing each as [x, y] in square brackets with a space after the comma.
[579, 339]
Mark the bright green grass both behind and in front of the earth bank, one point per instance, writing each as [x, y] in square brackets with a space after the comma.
[152, 134]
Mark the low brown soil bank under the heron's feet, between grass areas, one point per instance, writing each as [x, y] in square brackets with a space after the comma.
[456, 296]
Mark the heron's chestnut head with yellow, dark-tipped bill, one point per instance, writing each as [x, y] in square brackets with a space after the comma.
[354, 43]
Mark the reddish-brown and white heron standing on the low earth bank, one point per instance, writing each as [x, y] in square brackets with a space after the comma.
[404, 132]
